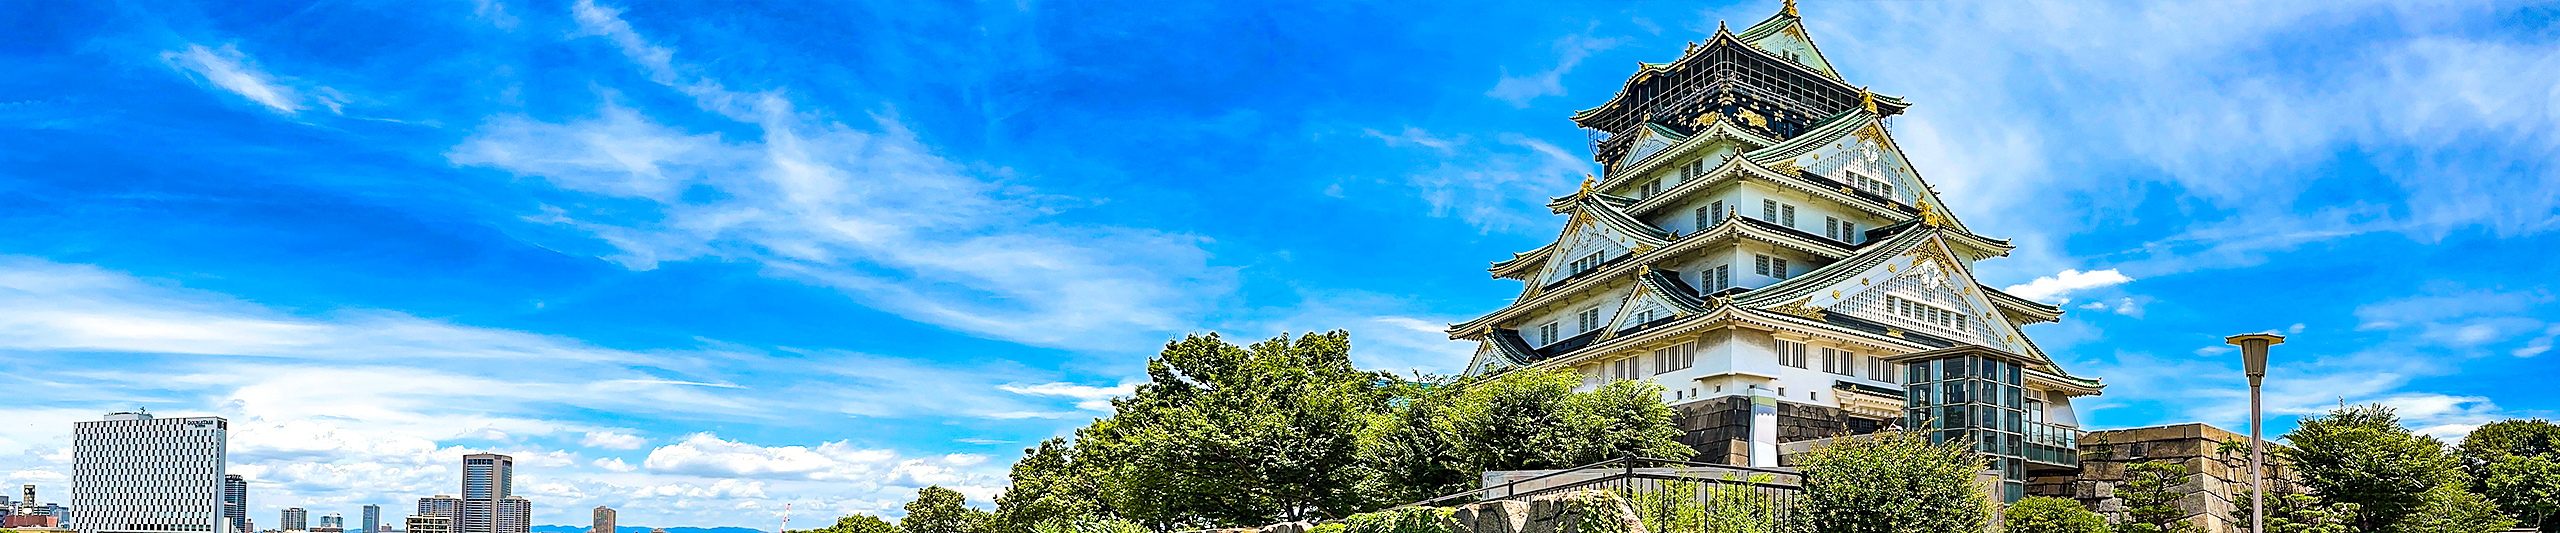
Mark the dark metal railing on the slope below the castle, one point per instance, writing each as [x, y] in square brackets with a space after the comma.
[1660, 491]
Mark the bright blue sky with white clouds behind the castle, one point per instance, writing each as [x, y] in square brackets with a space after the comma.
[708, 260]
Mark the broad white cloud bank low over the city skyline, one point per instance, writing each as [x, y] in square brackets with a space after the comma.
[365, 406]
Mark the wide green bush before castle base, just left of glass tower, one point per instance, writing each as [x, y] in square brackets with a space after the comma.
[1893, 483]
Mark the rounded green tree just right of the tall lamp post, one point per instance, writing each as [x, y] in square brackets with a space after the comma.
[2362, 455]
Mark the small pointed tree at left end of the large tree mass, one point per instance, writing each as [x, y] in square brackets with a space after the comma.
[1048, 486]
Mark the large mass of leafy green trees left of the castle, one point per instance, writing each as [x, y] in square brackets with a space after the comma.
[1289, 429]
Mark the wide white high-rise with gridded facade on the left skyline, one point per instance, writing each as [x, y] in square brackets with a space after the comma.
[140, 473]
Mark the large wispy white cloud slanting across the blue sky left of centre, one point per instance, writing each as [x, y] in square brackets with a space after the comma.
[854, 206]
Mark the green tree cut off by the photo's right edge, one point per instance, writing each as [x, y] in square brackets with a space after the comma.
[2518, 468]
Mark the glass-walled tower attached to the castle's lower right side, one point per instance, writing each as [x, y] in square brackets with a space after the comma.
[1975, 401]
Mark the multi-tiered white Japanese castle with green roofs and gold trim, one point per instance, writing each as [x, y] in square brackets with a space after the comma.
[1763, 250]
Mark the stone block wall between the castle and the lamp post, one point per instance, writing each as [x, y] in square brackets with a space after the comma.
[2216, 478]
